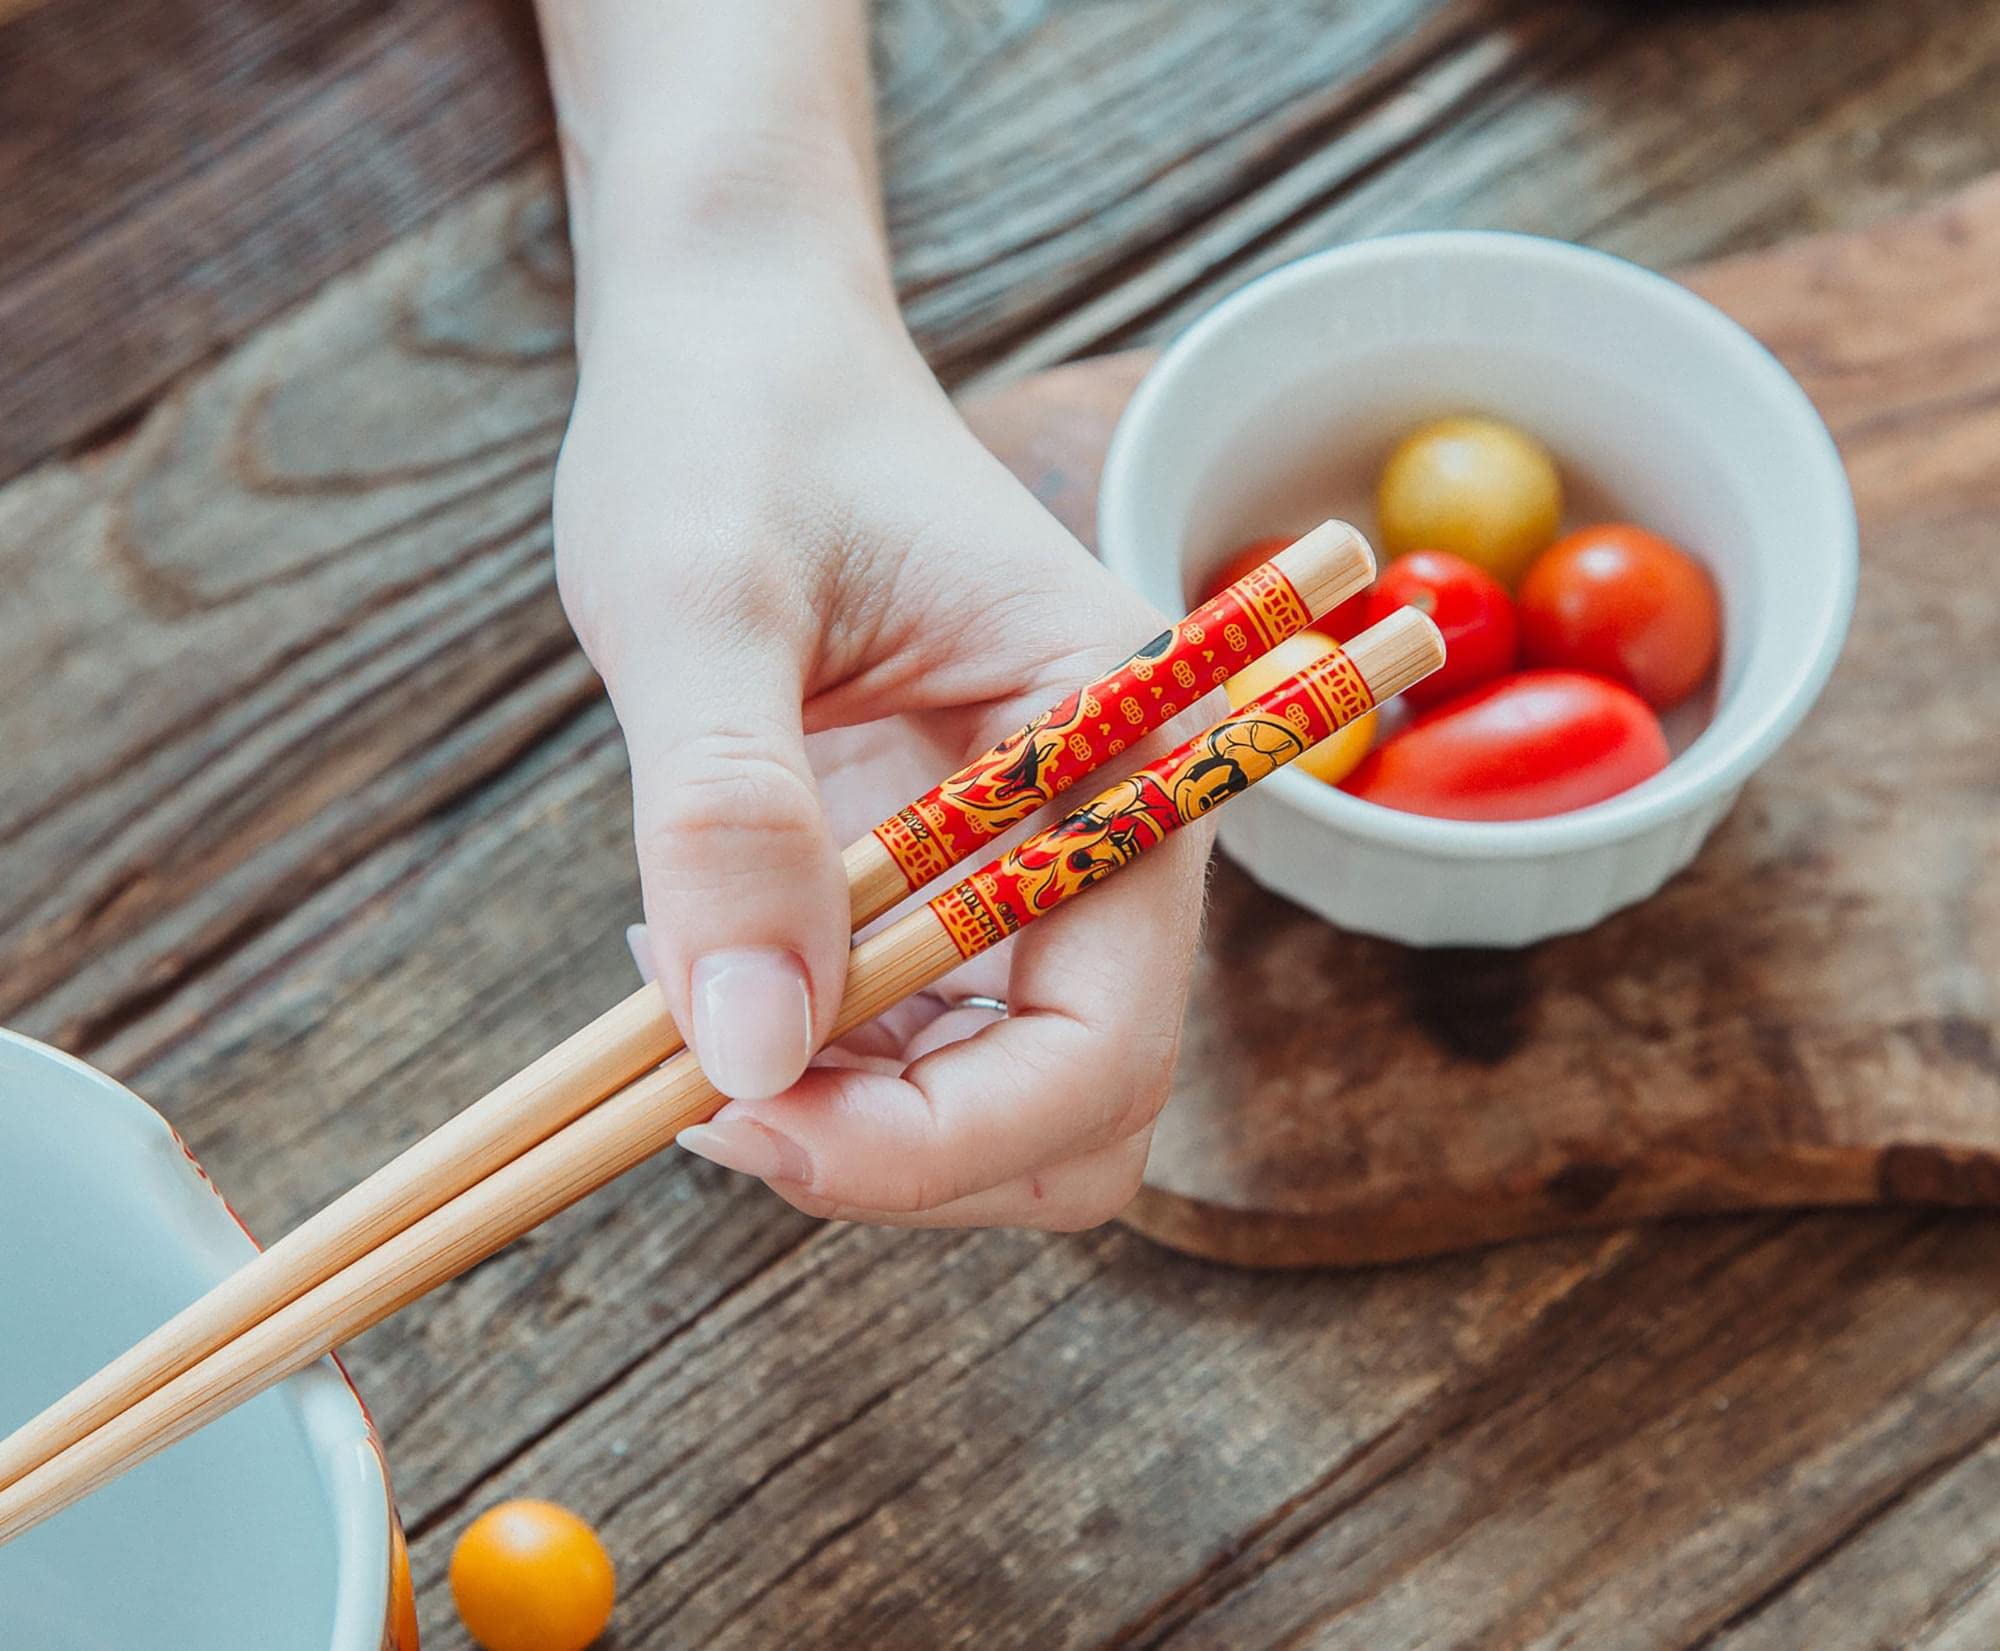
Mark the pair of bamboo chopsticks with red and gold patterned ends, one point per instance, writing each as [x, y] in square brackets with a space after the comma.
[603, 1102]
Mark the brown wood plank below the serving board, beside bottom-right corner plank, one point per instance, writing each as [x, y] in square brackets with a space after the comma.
[1637, 1486]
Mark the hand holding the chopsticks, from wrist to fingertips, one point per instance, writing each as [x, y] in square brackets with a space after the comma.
[811, 595]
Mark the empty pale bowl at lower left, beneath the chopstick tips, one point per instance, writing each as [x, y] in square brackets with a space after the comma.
[267, 1532]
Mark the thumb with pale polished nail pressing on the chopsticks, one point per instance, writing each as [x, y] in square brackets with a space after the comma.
[747, 904]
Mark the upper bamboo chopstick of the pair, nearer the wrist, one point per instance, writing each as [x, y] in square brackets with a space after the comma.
[901, 856]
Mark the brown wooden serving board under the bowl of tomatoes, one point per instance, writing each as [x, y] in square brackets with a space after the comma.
[1803, 1018]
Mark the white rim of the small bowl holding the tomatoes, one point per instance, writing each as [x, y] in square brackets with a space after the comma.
[1707, 769]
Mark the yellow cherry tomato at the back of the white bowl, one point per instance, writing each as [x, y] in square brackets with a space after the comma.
[1477, 489]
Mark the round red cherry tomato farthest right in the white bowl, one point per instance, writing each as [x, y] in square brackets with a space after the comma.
[1625, 605]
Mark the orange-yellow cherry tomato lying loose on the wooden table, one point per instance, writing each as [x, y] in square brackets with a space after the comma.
[531, 1576]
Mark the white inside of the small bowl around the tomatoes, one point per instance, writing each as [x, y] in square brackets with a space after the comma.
[1285, 403]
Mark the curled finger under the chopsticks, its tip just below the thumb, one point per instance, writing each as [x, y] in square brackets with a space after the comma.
[1081, 1066]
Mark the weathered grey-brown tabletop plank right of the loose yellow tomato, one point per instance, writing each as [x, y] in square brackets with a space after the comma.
[937, 1452]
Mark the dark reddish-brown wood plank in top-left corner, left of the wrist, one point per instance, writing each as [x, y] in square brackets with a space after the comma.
[177, 175]
